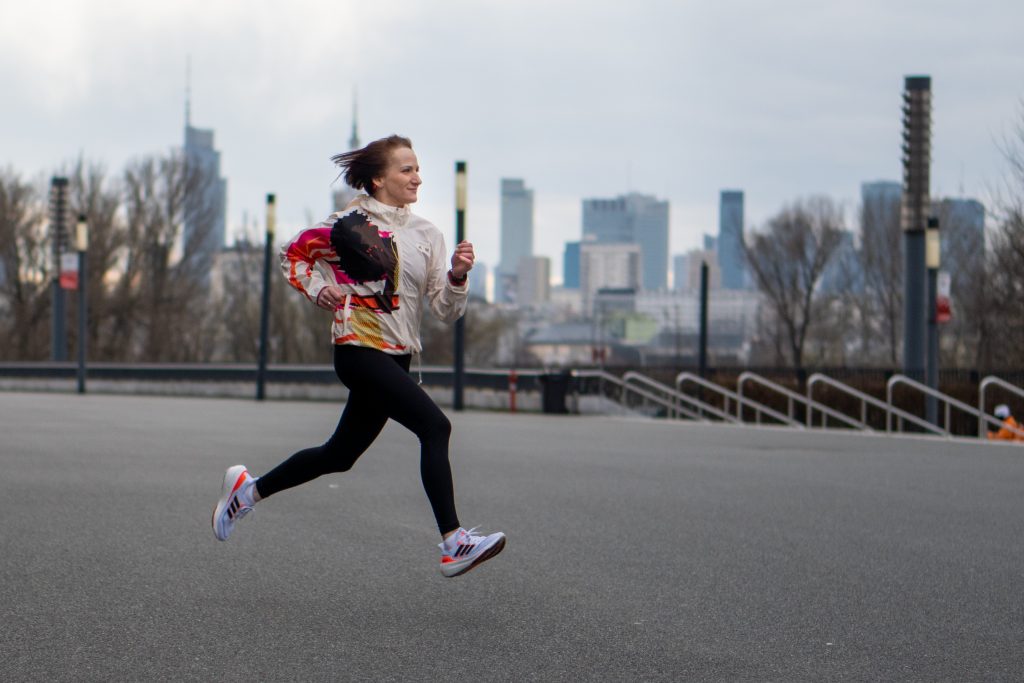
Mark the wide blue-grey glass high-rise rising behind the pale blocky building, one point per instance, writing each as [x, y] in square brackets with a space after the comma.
[633, 219]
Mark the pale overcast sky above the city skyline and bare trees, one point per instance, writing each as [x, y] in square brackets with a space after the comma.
[581, 99]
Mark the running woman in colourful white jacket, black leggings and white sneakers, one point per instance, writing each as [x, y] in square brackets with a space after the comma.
[373, 266]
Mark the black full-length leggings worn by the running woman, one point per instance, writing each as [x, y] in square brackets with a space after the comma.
[379, 388]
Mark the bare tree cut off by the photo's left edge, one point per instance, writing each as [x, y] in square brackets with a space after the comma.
[26, 272]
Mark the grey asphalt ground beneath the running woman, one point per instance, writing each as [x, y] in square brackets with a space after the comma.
[638, 550]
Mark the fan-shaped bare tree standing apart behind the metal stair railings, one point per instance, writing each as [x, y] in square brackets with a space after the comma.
[788, 261]
